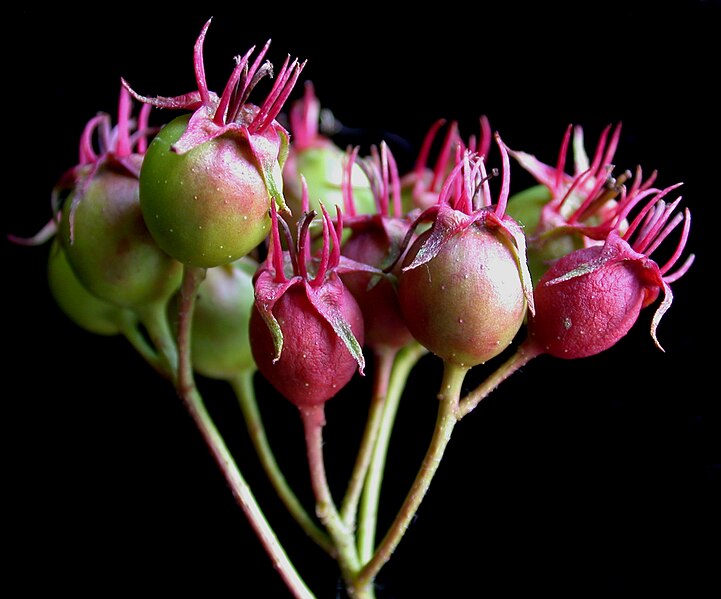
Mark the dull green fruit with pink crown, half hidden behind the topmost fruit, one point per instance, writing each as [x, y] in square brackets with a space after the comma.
[101, 226]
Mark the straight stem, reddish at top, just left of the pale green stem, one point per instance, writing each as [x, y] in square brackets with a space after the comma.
[384, 363]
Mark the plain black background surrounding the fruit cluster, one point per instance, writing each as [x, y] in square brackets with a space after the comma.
[594, 477]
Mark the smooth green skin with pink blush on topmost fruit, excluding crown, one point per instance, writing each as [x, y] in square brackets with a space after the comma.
[208, 206]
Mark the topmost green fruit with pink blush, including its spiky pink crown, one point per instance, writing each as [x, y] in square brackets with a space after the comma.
[209, 178]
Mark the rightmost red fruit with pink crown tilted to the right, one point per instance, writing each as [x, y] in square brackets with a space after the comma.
[589, 299]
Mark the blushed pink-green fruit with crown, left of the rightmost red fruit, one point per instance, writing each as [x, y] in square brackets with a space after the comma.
[464, 287]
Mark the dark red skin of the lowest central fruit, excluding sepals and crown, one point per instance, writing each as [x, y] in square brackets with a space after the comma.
[315, 363]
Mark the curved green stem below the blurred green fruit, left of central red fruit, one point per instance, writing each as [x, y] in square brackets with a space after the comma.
[242, 384]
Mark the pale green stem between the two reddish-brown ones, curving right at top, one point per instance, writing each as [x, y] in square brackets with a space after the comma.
[403, 363]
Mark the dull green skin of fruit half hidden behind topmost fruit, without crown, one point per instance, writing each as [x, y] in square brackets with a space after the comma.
[108, 245]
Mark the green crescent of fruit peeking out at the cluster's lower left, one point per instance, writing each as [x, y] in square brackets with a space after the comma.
[84, 308]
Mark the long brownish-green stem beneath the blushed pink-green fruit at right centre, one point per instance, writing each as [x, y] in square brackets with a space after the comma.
[449, 395]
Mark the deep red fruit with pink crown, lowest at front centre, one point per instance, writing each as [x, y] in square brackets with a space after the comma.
[306, 332]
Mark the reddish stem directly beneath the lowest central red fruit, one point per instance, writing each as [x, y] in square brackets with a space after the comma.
[313, 418]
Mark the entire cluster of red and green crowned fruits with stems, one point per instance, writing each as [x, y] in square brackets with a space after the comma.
[226, 242]
